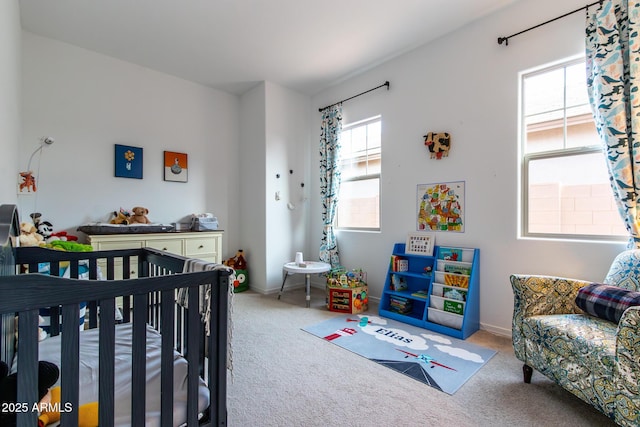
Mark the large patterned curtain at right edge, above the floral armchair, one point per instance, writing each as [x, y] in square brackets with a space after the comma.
[613, 67]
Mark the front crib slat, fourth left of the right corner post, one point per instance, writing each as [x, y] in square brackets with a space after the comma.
[106, 363]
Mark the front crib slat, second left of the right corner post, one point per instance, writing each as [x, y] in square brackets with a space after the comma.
[166, 379]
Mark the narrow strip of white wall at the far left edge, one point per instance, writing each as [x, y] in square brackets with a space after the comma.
[10, 45]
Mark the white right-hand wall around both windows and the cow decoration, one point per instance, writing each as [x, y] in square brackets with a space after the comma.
[465, 84]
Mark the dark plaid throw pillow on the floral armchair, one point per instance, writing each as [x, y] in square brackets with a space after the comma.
[606, 301]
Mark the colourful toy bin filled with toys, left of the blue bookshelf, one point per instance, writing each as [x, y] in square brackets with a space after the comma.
[347, 291]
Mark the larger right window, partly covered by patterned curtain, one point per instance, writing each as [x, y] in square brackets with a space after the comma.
[565, 184]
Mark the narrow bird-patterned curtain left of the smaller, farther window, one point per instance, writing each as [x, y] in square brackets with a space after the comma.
[330, 180]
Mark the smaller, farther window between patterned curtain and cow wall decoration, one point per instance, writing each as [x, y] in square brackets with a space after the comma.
[359, 200]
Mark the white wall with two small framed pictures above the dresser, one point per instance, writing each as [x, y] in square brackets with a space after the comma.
[89, 102]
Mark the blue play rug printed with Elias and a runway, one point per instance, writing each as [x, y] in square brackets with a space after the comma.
[440, 361]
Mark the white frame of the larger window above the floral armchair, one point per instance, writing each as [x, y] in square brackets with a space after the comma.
[526, 158]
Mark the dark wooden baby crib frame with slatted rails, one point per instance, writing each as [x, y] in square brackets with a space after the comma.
[153, 295]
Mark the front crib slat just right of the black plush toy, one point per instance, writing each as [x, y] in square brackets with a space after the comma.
[70, 363]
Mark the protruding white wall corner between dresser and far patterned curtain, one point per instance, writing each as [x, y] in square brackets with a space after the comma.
[274, 141]
